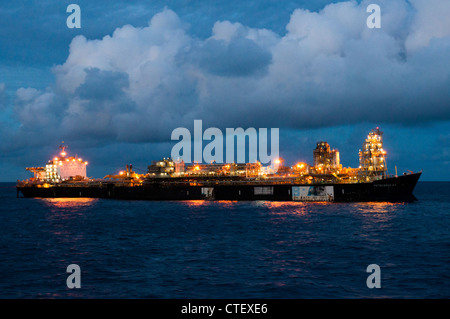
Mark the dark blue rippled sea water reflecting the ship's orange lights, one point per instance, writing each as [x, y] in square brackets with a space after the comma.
[200, 249]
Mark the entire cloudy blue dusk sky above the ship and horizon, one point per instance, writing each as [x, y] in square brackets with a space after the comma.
[114, 89]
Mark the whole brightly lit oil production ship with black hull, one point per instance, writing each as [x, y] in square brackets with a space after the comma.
[325, 180]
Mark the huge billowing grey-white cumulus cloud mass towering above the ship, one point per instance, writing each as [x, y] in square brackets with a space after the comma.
[140, 83]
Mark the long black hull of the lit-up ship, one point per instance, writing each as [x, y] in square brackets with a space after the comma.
[394, 189]
